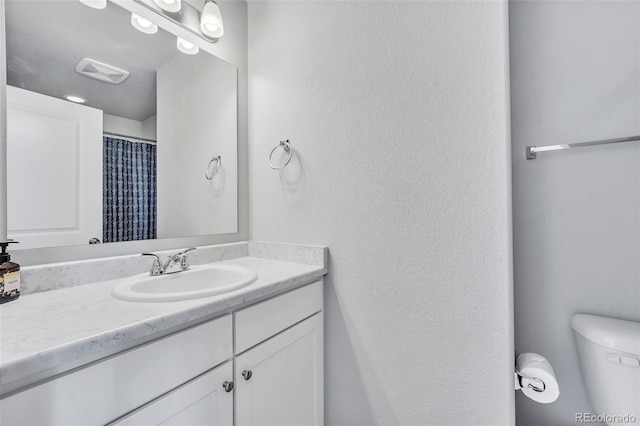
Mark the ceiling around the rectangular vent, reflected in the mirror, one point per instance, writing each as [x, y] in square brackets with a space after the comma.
[46, 39]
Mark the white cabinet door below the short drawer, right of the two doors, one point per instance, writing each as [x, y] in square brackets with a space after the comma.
[283, 378]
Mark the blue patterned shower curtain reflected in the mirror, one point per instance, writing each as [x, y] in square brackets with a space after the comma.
[129, 190]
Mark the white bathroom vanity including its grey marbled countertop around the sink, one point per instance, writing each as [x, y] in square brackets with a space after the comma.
[250, 356]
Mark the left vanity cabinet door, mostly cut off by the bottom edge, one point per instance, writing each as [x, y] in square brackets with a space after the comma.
[202, 401]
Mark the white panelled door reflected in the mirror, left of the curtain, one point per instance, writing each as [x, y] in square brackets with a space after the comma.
[54, 170]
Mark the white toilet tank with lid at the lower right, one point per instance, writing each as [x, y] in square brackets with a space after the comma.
[609, 351]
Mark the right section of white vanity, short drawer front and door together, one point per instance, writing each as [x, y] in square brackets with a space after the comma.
[279, 374]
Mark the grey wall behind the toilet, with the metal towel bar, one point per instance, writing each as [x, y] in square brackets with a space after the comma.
[575, 76]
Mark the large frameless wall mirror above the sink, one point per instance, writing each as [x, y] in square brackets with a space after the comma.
[147, 150]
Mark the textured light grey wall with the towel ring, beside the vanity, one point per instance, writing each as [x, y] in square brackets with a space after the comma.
[398, 114]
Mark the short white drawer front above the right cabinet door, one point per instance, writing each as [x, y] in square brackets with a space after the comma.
[259, 322]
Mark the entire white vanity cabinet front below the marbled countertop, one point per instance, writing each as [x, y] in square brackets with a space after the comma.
[195, 376]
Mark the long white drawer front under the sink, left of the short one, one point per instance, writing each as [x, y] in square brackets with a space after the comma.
[108, 389]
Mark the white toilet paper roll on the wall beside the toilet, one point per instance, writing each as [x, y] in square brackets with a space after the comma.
[536, 366]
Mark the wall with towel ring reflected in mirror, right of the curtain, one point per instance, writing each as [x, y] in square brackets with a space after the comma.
[197, 116]
